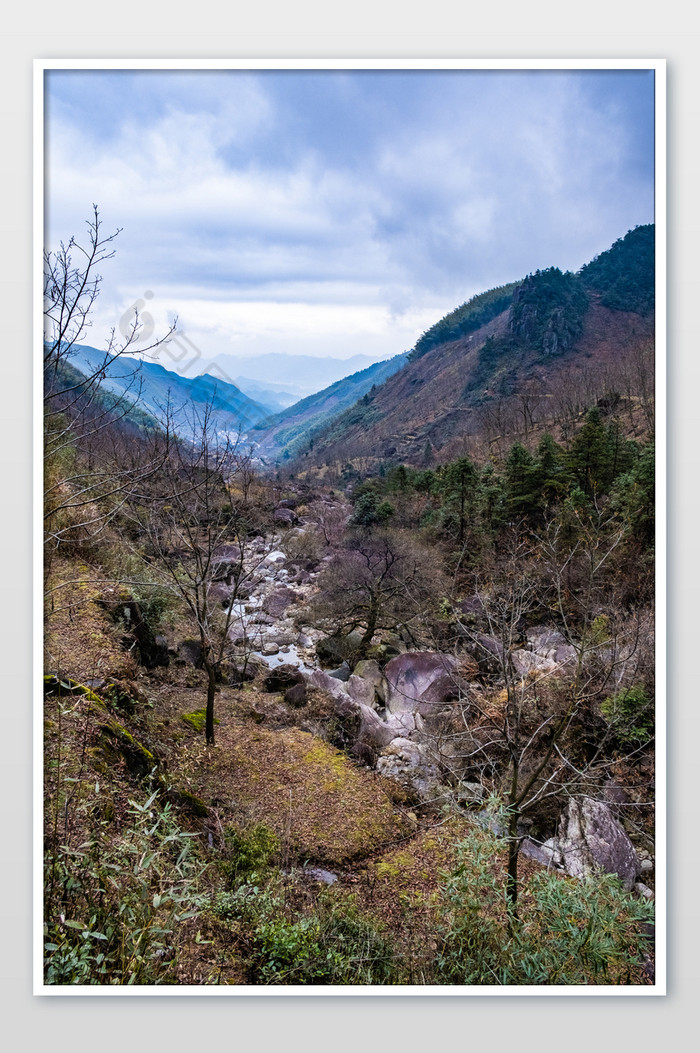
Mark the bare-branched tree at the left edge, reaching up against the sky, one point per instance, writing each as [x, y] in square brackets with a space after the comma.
[88, 476]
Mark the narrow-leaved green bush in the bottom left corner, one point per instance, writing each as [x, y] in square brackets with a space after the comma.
[114, 907]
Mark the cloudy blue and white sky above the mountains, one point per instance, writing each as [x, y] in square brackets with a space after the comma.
[341, 213]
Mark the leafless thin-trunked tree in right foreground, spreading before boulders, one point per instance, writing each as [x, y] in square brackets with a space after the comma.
[536, 734]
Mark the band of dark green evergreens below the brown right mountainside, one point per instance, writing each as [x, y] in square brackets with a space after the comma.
[598, 467]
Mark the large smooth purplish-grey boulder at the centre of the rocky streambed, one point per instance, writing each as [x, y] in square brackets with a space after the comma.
[421, 681]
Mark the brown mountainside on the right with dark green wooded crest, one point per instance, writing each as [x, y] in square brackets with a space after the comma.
[518, 361]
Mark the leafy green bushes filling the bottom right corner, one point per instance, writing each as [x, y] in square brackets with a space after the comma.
[567, 932]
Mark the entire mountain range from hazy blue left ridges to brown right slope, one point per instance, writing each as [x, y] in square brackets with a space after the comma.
[514, 345]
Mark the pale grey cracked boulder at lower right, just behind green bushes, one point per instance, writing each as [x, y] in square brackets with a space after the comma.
[591, 839]
